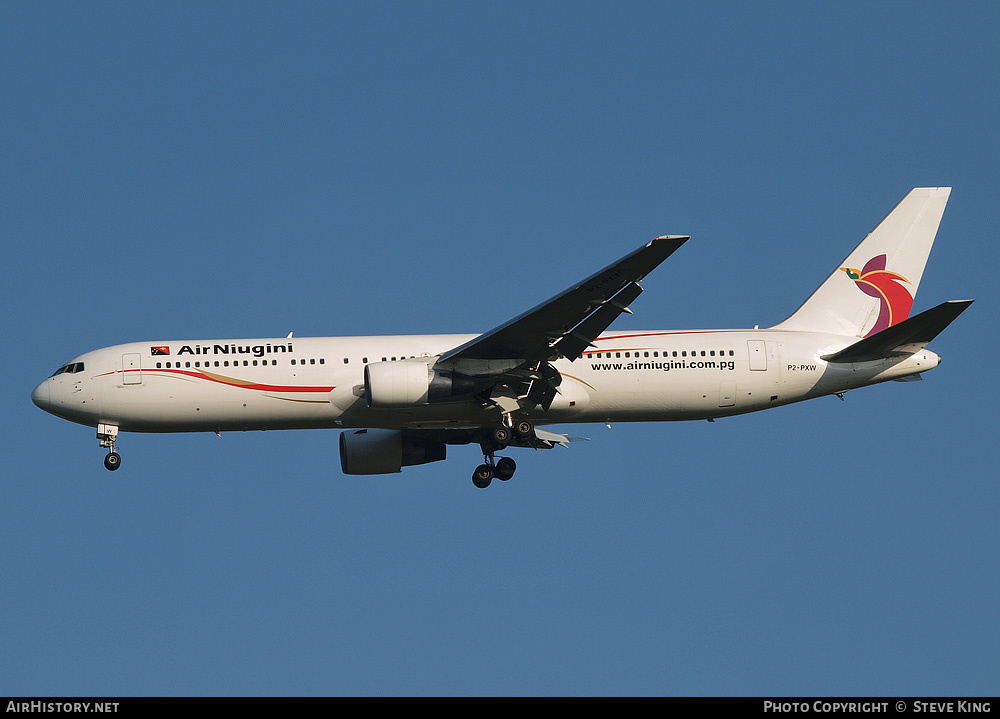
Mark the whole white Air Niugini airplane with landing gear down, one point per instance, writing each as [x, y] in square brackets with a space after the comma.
[401, 400]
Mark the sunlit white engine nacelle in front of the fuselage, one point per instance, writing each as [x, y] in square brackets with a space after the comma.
[405, 384]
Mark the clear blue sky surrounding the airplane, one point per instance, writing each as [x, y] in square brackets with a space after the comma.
[182, 170]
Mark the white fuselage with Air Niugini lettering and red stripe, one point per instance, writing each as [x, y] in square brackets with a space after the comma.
[296, 383]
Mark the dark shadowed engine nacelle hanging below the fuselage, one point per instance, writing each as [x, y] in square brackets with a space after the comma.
[385, 451]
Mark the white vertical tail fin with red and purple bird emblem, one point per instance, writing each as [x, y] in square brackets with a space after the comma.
[874, 287]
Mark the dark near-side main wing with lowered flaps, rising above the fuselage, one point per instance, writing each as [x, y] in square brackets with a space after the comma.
[568, 323]
